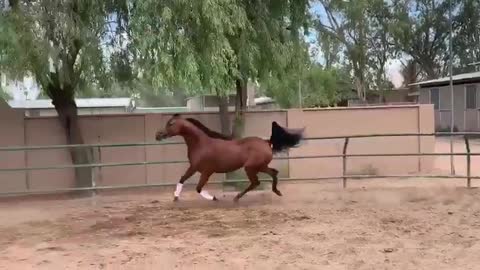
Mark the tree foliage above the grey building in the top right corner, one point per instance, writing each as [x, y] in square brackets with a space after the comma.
[422, 32]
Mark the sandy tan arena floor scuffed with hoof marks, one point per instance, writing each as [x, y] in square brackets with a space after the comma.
[375, 224]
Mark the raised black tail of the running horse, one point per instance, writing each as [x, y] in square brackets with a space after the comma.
[282, 138]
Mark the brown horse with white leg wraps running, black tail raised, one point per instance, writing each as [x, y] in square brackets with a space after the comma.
[211, 152]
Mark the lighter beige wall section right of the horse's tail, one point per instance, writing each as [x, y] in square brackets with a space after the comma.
[363, 121]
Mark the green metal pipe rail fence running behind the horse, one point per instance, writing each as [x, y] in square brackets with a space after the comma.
[344, 177]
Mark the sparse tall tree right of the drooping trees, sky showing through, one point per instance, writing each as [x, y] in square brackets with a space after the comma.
[363, 29]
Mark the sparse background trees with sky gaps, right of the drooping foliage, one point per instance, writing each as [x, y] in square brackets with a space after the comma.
[371, 32]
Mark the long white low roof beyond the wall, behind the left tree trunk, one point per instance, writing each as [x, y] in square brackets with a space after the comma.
[81, 103]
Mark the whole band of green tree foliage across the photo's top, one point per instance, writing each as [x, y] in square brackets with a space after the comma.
[164, 50]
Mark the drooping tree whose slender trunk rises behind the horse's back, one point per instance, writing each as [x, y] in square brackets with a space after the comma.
[268, 43]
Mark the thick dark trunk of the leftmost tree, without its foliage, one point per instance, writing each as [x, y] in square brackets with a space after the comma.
[68, 117]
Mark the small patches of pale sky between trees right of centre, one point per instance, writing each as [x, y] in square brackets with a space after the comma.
[393, 66]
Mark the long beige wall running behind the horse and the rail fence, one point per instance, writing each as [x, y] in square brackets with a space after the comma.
[142, 127]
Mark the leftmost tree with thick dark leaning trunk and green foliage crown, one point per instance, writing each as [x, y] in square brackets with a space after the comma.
[62, 43]
